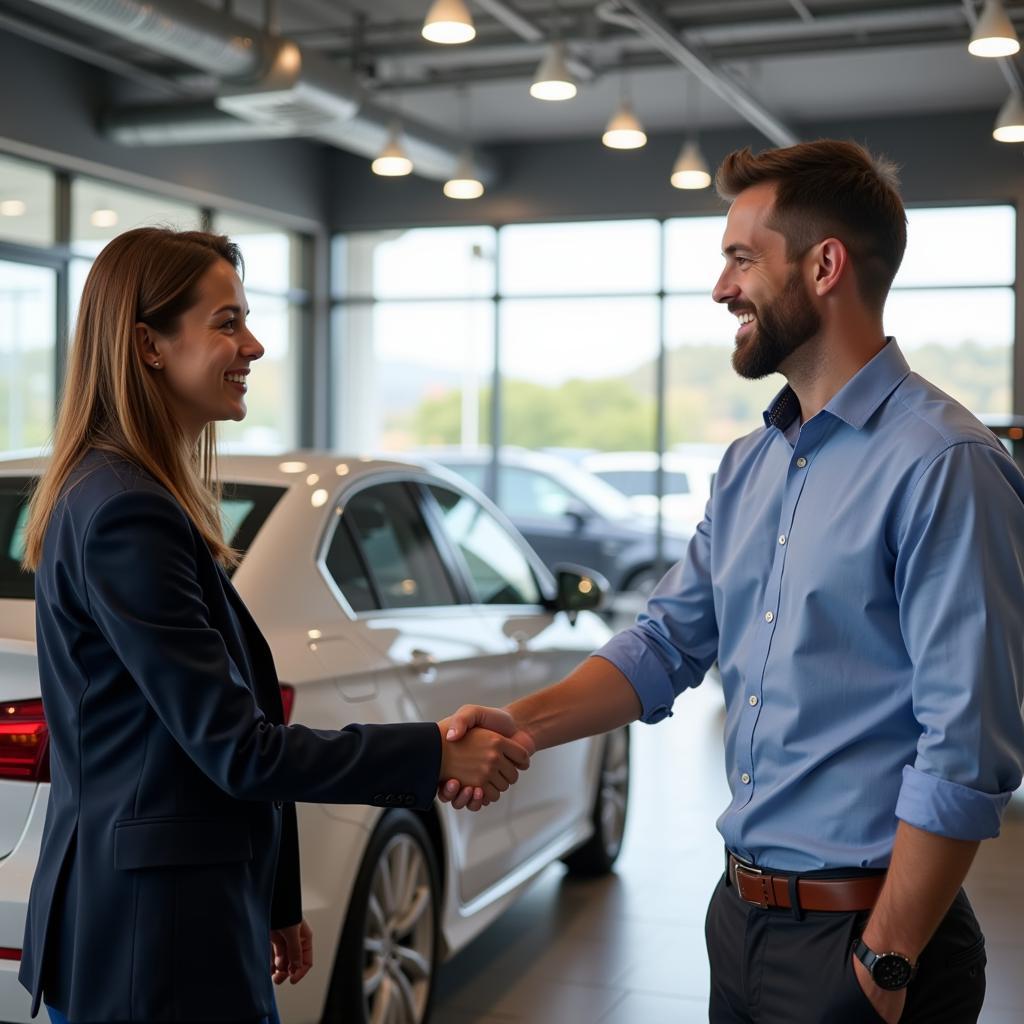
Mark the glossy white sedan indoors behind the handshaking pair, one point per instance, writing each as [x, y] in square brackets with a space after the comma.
[389, 592]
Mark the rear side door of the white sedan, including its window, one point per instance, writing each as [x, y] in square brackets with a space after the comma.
[411, 608]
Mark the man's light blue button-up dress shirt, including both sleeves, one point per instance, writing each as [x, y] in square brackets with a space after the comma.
[861, 580]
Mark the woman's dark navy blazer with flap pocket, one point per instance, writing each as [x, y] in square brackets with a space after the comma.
[159, 878]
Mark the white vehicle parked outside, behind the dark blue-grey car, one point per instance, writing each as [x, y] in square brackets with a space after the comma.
[687, 481]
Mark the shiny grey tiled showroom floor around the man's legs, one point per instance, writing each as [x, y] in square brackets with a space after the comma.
[629, 949]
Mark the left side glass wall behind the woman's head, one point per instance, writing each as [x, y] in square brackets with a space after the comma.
[44, 267]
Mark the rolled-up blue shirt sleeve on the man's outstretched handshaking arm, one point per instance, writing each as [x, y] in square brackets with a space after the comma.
[675, 639]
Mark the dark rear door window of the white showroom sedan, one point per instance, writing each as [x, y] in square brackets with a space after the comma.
[405, 568]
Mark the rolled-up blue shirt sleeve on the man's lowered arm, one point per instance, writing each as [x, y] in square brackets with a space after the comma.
[960, 583]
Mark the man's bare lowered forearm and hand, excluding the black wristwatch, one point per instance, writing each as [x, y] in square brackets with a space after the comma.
[924, 876]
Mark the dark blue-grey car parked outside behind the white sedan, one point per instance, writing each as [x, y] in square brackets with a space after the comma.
[570, 516]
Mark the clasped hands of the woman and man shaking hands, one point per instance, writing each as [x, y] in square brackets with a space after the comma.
[483, 752]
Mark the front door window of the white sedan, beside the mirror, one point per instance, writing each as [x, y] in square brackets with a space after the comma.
[498, 569]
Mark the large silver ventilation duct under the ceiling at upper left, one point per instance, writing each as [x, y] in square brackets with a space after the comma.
[271, 86]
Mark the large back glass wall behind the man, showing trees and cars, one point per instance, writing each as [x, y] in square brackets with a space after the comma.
[590, 330]
